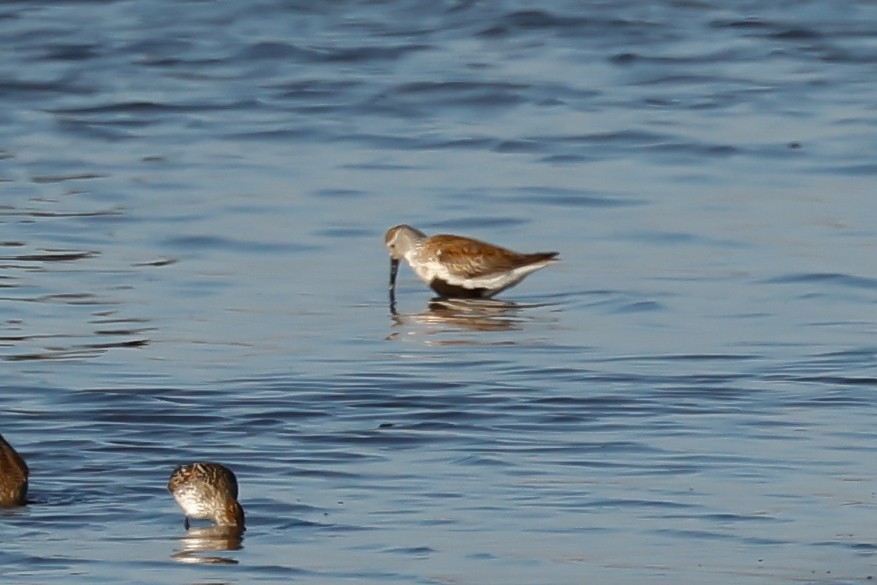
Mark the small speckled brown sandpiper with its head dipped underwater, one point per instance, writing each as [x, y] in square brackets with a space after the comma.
[207, 491]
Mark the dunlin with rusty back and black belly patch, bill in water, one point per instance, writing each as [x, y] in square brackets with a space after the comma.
[459, 267]
